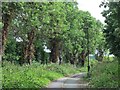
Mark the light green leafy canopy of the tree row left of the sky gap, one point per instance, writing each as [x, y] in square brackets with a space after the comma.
[59, 20]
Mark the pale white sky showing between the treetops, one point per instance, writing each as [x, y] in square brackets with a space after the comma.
[93, 7]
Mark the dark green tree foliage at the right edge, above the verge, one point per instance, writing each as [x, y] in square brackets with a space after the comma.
[112, 27]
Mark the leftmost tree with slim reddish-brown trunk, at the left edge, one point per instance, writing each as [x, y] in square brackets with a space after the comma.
[8, 12]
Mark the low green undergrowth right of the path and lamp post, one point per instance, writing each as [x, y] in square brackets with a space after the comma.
[105, 75]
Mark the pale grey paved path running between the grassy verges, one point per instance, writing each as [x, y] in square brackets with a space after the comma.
[75, 81]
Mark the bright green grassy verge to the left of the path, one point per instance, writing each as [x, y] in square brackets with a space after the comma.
[33, 76]
